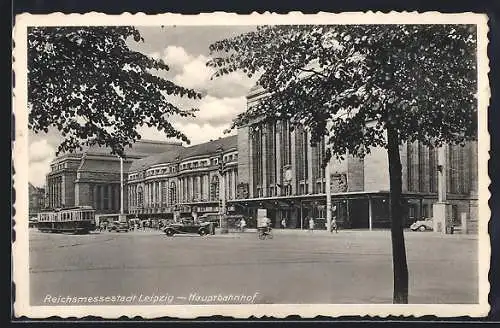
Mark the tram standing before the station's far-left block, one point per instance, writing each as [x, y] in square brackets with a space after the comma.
[79, 220]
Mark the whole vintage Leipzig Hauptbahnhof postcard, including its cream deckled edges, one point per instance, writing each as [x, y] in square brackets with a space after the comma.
[251, 165]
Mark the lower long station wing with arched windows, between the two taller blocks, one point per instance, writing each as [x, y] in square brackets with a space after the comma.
[184, 181]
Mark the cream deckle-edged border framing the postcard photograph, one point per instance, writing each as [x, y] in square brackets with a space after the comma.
[20, 248]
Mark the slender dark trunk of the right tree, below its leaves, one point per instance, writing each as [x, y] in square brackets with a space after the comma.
[400, 267]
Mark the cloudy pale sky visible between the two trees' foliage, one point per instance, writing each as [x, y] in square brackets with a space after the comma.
[185, 50]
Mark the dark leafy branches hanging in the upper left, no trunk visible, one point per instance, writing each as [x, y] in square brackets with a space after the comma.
[87, 83]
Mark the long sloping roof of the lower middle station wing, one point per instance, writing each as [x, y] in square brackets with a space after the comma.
[181, 153]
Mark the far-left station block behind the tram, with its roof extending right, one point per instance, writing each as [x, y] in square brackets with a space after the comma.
[91, 177]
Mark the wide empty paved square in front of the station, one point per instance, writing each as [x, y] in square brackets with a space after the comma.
[298, 267]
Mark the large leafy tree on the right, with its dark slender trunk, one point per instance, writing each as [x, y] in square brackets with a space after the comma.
[363, 86]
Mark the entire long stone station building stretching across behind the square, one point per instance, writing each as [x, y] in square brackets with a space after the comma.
[268, 166]
